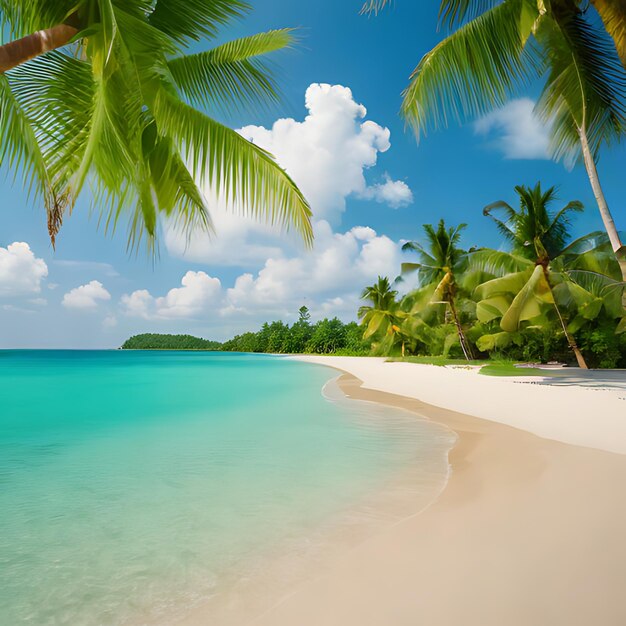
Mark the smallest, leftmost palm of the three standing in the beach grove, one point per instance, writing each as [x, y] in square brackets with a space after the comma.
[383, 315]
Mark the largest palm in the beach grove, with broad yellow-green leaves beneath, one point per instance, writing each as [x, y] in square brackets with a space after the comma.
[544, 271]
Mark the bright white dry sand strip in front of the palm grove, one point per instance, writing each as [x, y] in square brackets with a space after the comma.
[581, 415]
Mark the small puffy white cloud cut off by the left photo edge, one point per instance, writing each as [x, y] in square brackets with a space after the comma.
[20, 271]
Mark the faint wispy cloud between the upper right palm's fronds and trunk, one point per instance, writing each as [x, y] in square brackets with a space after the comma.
[516, 131]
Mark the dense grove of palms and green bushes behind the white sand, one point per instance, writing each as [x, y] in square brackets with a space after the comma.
[544, 298]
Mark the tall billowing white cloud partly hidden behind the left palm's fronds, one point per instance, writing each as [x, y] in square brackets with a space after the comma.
[326, 154]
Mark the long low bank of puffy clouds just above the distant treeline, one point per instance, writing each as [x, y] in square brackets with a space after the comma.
[328, 279]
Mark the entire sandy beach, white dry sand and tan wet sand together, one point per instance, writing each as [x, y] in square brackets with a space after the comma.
[530, 531]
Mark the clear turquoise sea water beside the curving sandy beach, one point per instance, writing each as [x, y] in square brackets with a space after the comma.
[136, 483]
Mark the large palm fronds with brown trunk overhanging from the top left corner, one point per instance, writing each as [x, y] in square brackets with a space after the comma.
[103, 92]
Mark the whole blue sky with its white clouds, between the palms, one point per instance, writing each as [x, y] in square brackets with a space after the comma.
[371, 186]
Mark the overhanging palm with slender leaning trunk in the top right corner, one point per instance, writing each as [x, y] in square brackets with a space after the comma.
[502, 44]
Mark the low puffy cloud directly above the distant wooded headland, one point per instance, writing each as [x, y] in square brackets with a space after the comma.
[197, 293]
